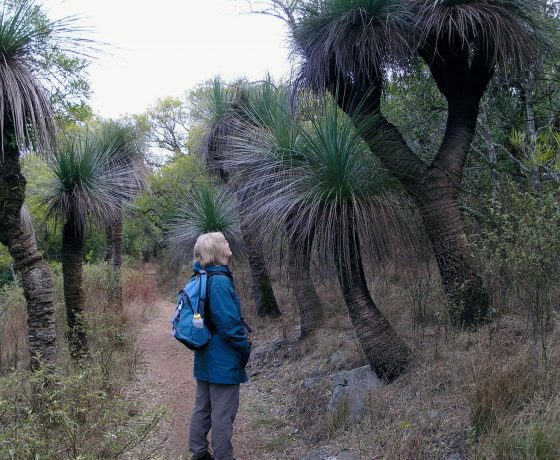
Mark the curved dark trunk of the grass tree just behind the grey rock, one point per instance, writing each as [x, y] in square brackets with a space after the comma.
[387, 353]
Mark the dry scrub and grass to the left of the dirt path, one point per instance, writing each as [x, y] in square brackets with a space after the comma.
[78, 410]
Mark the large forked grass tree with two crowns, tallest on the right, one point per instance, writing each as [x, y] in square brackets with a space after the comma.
[349, 47]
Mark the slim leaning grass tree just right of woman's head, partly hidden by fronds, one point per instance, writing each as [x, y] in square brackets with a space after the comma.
[218, 110]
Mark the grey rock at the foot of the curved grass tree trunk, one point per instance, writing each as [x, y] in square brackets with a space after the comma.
[352, 388]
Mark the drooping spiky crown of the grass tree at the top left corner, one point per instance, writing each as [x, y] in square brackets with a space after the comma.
[29, 43]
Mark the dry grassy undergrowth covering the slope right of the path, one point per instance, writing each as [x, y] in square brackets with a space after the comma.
[481, 394]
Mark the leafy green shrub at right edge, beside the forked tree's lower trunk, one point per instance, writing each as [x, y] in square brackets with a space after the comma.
[519, 246]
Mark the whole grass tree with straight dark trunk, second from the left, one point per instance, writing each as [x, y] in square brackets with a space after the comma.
[89, 185]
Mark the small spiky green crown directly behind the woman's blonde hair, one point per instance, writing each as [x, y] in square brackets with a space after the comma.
[206, 208]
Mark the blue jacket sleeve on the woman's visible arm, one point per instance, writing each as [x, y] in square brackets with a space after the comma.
[225, 314]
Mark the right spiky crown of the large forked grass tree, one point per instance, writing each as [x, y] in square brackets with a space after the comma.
[507, 32]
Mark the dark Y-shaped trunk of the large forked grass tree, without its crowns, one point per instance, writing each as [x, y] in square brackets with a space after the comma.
[463, 87]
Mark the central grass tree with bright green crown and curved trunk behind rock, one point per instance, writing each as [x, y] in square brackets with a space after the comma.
[327, 186]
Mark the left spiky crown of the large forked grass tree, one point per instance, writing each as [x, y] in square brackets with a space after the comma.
[352, 38]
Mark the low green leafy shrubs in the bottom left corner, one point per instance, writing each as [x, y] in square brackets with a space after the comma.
[55, 416]
